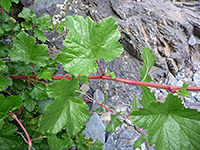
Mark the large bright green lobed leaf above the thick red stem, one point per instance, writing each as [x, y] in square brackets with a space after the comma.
[87, 42]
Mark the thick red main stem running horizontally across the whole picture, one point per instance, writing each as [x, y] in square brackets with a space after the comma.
[167, 87]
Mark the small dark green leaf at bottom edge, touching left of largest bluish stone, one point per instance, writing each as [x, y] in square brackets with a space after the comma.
[82, 141]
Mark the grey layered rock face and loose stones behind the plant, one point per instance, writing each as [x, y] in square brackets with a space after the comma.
[170, 28]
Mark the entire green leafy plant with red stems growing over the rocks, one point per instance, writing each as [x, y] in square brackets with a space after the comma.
[50, 112]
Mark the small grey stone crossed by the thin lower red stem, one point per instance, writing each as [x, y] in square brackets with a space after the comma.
[98, 97]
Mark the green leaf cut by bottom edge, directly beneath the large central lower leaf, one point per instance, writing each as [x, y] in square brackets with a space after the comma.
[61, 144]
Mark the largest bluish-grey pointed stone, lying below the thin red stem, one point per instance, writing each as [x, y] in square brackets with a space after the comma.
[95, 128]
